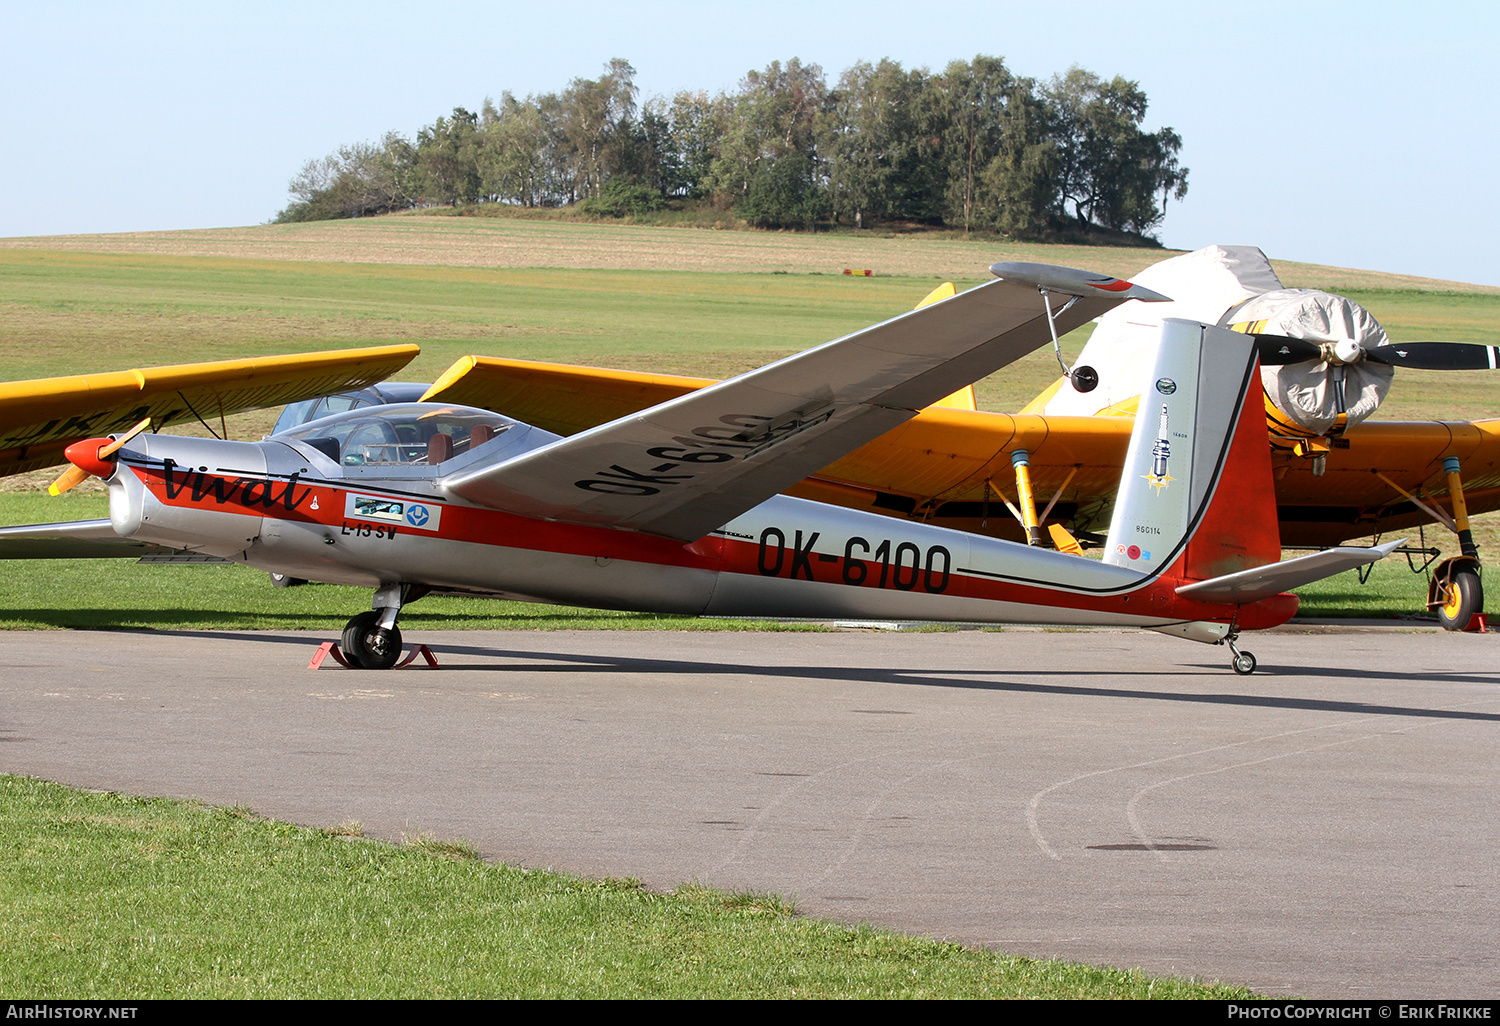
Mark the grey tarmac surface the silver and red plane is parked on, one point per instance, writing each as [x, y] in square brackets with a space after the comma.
[1327, 827]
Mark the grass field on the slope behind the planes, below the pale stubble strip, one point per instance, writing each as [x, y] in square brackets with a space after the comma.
[74, 311]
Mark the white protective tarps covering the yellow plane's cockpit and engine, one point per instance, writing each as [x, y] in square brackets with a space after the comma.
[1229, 286]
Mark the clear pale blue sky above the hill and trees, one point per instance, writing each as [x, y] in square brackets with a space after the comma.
[1354, 134]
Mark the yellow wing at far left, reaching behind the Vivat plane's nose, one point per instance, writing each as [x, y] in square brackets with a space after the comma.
[41, 418]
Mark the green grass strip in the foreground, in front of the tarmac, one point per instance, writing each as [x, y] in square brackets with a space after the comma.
[112, 898]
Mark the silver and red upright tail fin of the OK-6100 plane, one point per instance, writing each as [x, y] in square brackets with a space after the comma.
[1196, 496]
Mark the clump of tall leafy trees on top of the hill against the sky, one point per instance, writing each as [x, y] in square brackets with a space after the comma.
[973, 148]
